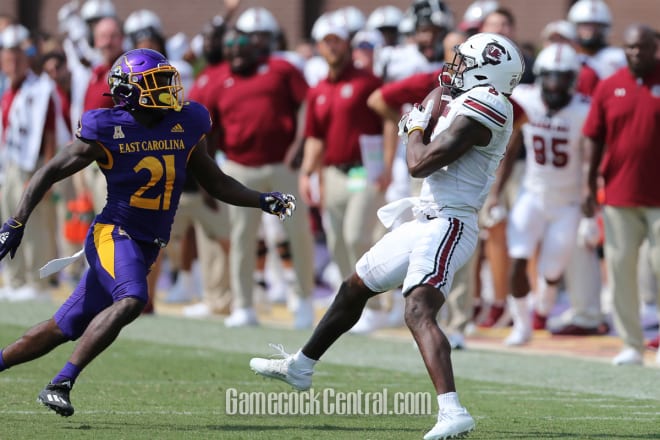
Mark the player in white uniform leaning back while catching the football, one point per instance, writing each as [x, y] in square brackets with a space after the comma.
[458, 166]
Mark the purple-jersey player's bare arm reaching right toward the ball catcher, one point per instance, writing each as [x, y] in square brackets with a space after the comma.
[229, 190]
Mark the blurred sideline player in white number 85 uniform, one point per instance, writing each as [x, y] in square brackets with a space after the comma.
[547, 212]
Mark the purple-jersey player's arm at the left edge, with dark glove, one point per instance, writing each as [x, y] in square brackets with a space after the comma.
[70, 160]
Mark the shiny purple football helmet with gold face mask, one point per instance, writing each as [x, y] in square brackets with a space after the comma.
[145, 78]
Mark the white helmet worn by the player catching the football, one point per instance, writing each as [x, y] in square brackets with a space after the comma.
[484, 59]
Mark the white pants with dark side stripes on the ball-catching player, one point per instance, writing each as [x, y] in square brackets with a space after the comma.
[420, 251]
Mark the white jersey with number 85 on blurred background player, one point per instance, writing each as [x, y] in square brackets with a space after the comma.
[553, 169]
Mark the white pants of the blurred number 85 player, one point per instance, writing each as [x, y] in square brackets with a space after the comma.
[554, 228]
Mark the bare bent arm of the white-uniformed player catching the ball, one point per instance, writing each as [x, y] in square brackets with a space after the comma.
[449, 145]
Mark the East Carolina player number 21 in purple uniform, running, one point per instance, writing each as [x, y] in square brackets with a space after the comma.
[145, 146]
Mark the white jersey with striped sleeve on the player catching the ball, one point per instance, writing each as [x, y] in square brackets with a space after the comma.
[462, 186]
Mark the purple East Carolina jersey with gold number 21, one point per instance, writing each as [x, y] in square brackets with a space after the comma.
[145, 167]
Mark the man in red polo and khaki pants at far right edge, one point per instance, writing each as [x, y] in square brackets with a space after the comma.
[622, 131]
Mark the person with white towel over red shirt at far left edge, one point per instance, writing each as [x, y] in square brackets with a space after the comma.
[28, 140]
